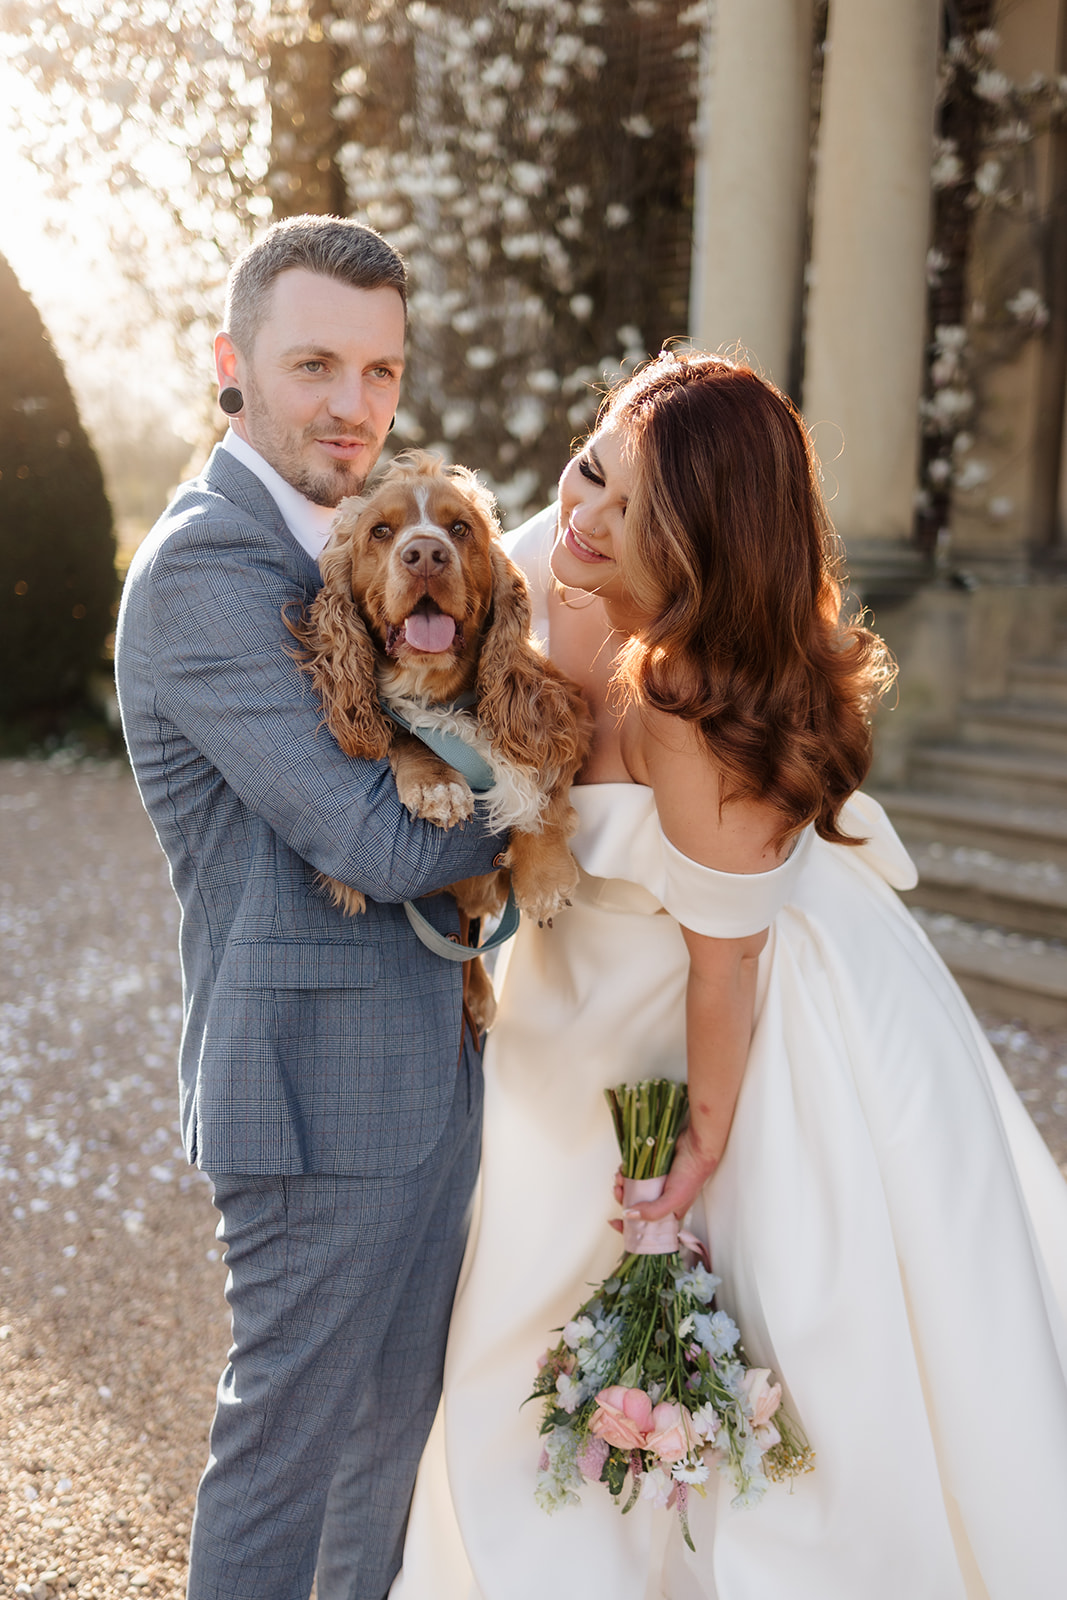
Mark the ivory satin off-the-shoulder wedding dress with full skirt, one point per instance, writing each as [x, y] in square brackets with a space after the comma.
[889, 1226]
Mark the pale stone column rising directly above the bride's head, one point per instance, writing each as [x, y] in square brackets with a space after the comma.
[753, 182]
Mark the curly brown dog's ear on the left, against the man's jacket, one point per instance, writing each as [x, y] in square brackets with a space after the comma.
[338, 654]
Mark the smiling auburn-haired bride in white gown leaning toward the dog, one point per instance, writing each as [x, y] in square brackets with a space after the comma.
[890, 1231]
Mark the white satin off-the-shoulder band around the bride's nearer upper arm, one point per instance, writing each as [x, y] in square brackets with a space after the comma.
[727, 905]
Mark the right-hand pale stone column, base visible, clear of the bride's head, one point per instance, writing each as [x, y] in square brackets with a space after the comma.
[868, 284]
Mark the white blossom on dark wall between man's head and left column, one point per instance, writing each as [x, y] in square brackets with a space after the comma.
[537, 167]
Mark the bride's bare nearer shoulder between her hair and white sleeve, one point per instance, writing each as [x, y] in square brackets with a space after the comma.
[673, 758]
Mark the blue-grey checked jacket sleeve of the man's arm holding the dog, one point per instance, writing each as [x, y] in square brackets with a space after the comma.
[220, 658]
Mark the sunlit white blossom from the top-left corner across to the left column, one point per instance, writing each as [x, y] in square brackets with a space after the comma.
[533, 161]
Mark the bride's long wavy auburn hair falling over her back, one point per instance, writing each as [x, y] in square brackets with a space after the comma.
[732, 551]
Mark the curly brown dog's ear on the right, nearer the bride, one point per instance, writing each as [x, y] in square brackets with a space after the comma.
[529, 710]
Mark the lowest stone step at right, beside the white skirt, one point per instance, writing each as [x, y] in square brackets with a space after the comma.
[1002, 970]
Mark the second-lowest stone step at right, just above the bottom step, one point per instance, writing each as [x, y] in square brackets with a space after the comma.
[1028, 897]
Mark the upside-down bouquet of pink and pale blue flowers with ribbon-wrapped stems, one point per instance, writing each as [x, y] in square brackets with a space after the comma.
[649, 1380]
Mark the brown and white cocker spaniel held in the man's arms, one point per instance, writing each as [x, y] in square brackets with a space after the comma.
[423, 612]
